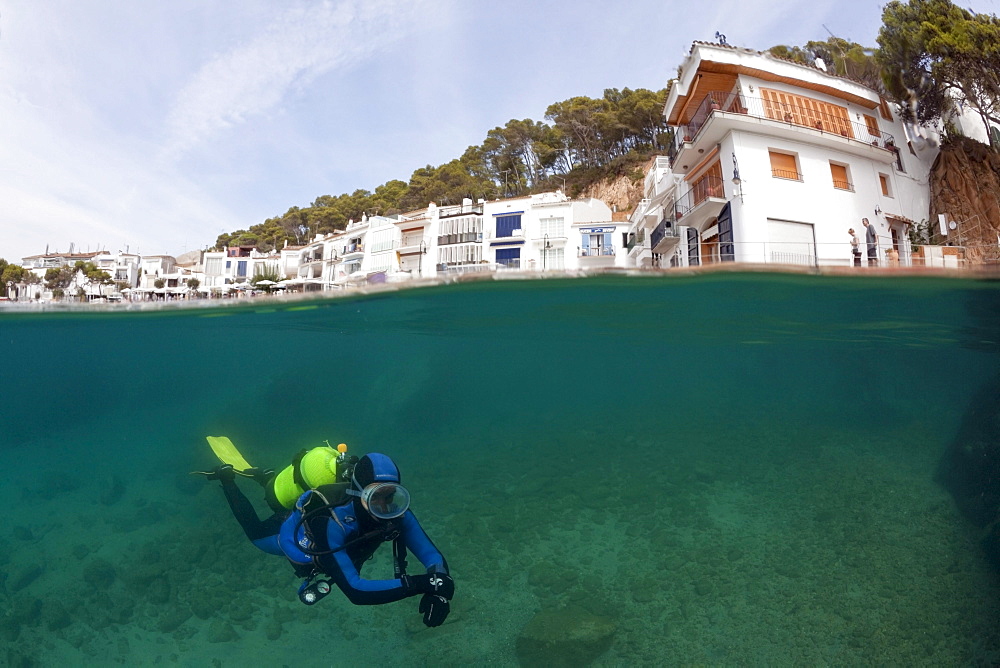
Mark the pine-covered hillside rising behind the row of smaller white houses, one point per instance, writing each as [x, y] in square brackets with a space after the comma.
[584, 140]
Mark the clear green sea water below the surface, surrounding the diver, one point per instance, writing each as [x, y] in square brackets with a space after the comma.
[737, 469]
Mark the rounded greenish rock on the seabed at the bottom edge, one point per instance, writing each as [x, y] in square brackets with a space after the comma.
[568, 637]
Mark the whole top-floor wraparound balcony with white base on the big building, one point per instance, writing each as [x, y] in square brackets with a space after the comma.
[722, 112]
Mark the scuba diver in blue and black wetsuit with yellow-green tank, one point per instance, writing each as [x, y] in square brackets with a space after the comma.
[331, 513]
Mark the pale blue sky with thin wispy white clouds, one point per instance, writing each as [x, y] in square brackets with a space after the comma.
[154, 126]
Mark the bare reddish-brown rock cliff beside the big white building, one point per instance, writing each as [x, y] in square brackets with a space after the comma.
[965, 185]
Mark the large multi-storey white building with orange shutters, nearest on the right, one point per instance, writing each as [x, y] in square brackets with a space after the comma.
[777, 160]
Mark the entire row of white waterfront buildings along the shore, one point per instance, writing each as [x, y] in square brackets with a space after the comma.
[772, 162]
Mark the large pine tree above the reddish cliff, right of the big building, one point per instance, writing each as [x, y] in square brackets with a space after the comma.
[933, 51]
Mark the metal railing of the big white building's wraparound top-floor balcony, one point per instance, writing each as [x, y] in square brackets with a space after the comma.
[792, 114]
